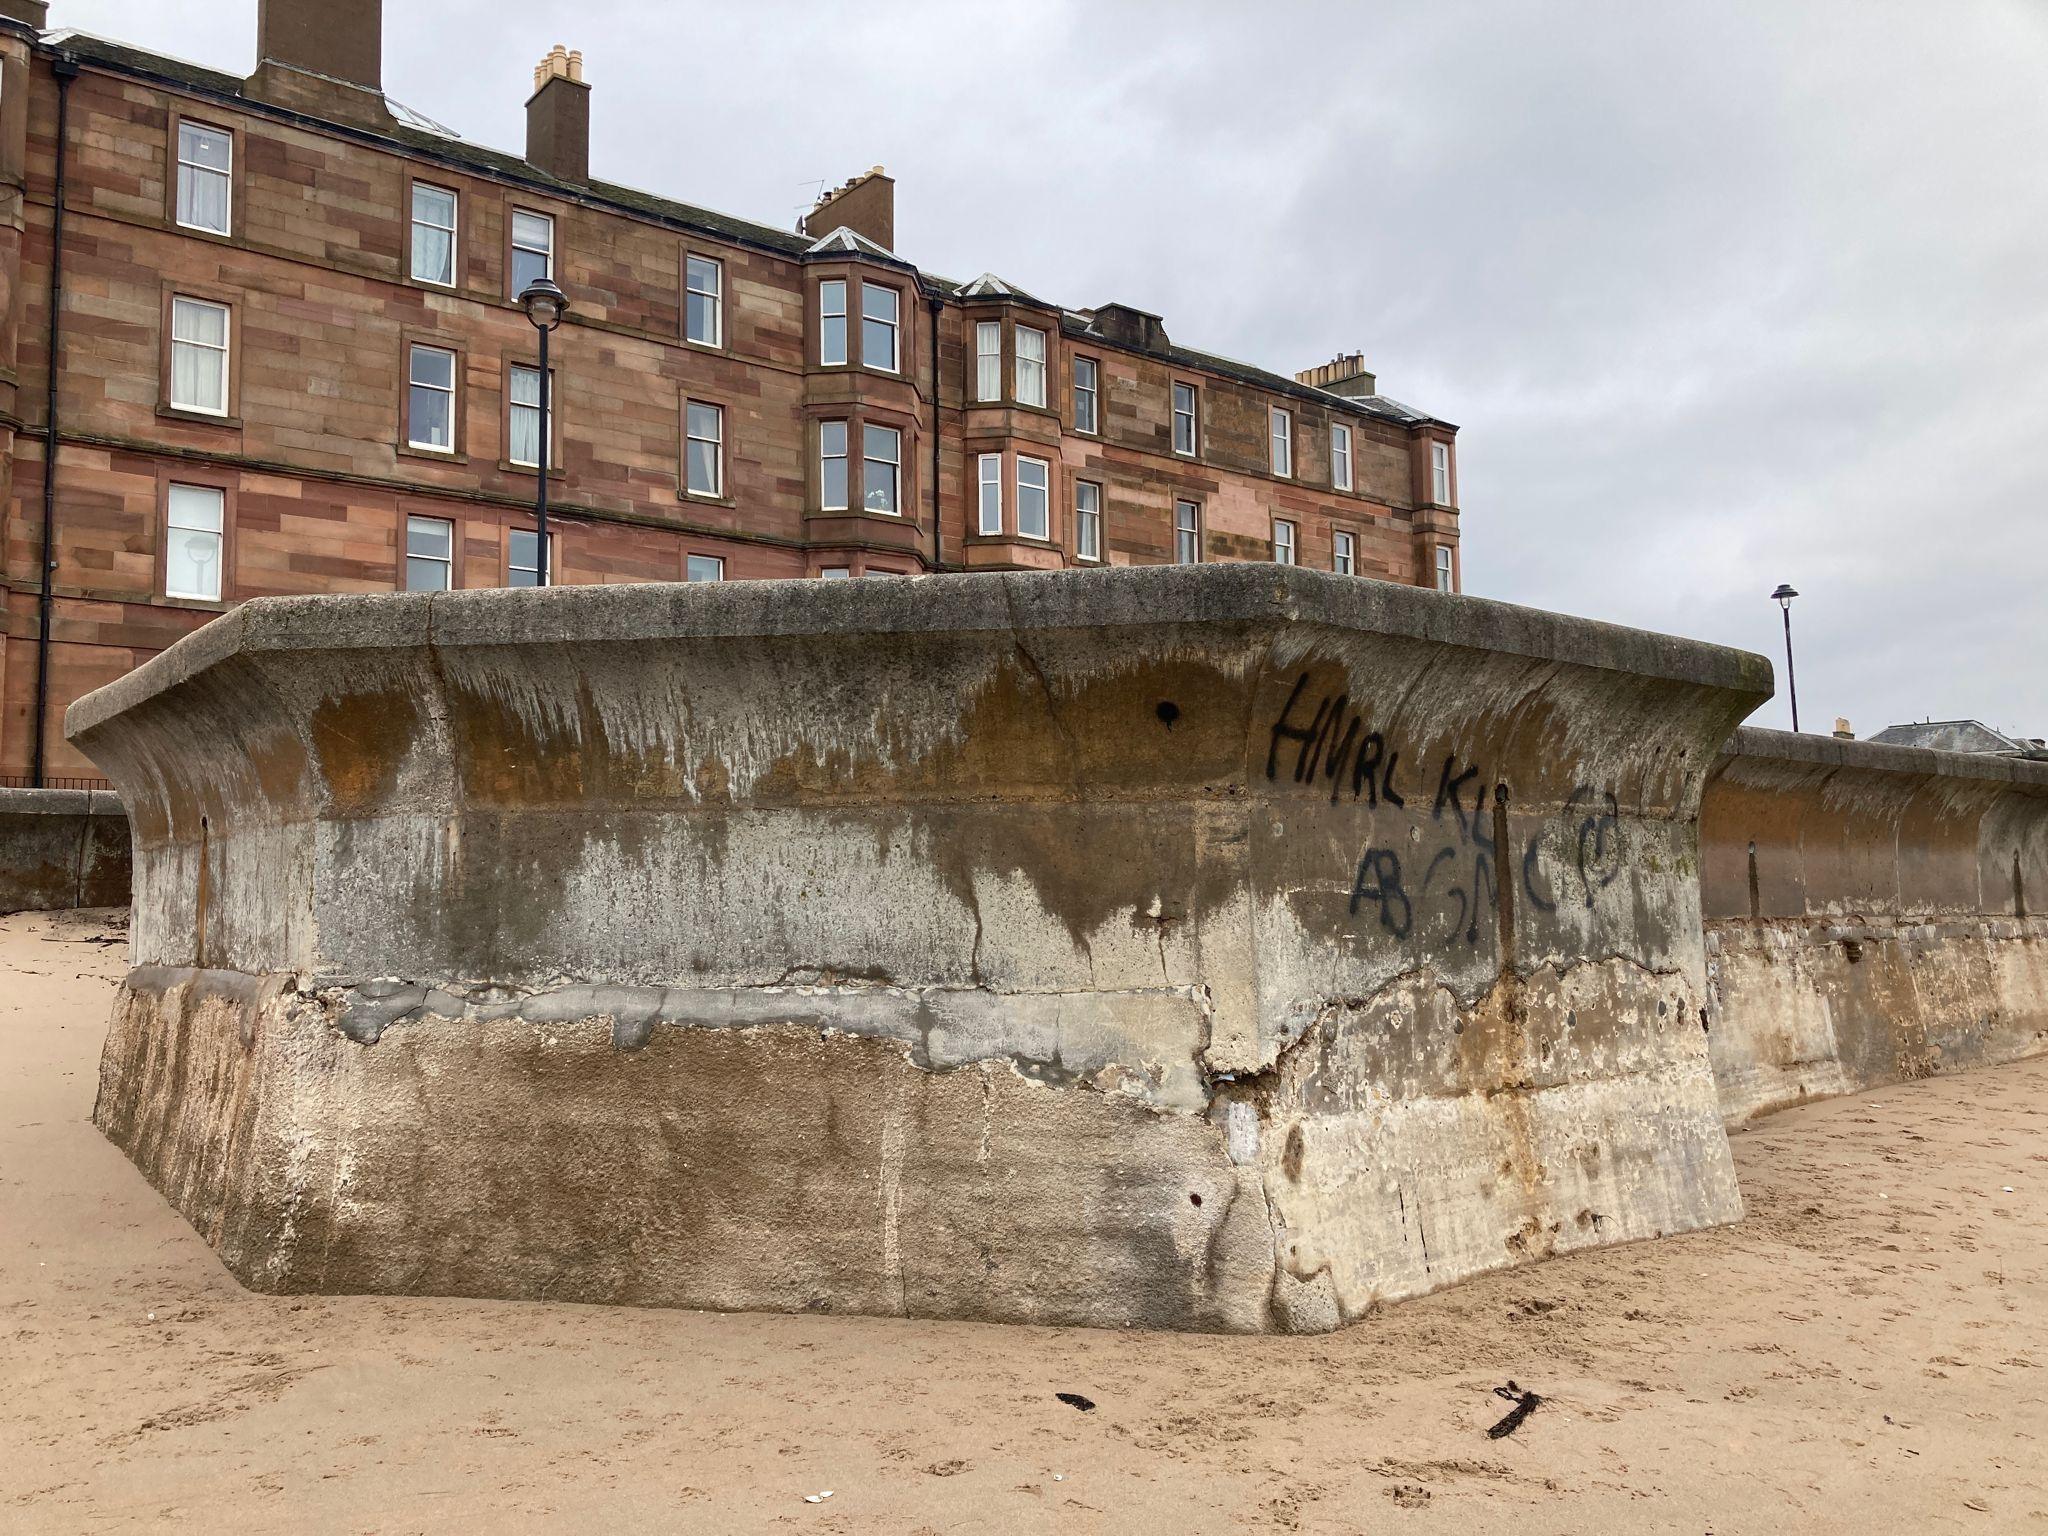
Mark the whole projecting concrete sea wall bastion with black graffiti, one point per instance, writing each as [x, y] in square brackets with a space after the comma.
[1197, 947]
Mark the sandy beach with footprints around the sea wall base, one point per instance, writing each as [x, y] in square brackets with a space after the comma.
[1869, 1351]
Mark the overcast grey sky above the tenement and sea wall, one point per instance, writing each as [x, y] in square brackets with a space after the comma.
[1721, 296]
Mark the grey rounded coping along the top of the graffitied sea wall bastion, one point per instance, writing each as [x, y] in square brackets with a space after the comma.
[1054, 601]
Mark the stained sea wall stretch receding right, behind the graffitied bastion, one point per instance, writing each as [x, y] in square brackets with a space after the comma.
[1869, 916]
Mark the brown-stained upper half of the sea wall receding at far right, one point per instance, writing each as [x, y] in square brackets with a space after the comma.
[1801, 826]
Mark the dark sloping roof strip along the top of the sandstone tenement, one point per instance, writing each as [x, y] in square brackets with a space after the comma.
[411, 130]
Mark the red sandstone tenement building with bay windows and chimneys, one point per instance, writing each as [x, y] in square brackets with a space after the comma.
[290, 361]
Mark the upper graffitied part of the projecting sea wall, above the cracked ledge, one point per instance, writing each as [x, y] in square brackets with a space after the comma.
[1271, 785]
